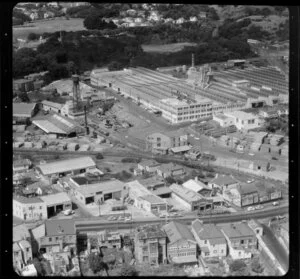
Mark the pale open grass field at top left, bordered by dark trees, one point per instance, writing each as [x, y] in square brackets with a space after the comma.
[39, 27]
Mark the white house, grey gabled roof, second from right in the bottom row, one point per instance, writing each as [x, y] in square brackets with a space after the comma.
[210, 239]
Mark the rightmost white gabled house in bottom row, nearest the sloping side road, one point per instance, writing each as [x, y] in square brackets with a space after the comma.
[241, 240]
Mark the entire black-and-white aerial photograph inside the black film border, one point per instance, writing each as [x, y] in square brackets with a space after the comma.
[150, 139]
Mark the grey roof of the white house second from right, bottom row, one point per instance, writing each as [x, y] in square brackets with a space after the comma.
[208, 231]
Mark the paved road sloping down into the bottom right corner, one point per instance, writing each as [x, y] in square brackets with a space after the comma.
[276, 248]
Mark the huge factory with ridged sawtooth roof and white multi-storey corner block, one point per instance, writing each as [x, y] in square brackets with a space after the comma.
[203, 94]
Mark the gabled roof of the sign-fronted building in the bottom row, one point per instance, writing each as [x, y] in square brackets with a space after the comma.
[178, 231]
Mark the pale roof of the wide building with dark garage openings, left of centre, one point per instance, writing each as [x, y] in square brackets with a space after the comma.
[104, 187]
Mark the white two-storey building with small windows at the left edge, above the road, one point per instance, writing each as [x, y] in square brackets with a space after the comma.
[29, 208]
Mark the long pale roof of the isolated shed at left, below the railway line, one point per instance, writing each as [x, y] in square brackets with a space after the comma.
[66, 165]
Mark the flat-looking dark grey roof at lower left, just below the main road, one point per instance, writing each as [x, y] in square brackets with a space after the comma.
[60, 227]
